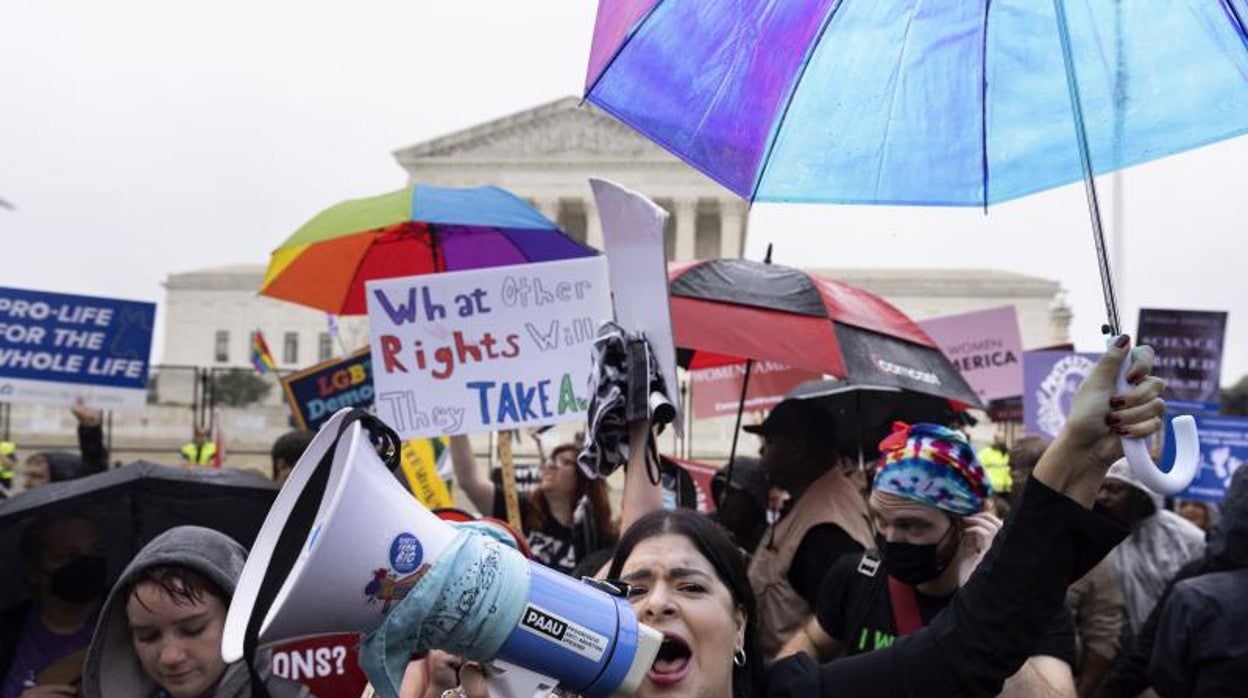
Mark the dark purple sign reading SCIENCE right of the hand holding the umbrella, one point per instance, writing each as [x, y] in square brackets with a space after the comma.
[1189, 347]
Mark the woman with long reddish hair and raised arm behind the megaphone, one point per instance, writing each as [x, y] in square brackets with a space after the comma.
[565, 520]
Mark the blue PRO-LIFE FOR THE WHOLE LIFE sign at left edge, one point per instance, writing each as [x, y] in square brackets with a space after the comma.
[56, 348]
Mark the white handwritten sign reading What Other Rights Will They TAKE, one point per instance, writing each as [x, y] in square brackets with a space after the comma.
[494, 349]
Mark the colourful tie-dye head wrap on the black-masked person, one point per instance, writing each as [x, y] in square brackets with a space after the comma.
[934, 466]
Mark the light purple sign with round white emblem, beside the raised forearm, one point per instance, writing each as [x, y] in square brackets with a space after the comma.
[1050, 383]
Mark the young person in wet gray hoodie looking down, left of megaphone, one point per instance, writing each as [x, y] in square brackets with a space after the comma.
[160, 627]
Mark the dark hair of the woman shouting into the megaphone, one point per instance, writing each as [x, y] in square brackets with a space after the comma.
[717, 546]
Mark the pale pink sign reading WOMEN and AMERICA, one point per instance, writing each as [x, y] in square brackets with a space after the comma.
[985, 347]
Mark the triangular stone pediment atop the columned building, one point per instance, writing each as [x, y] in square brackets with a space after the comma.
[563, 129]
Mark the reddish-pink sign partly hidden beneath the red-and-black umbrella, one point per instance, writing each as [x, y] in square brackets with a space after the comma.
[717, 393]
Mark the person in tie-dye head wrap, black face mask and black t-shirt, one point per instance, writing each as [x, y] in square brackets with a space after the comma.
[927, 506]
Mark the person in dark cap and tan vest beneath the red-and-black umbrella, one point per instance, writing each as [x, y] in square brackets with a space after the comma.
[827, 519]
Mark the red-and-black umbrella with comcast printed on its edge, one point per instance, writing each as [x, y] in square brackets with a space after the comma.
[732, 312]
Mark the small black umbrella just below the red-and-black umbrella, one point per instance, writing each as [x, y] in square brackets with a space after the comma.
[863, 415]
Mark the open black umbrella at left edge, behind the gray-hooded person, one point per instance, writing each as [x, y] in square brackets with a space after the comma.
[132, 506]
